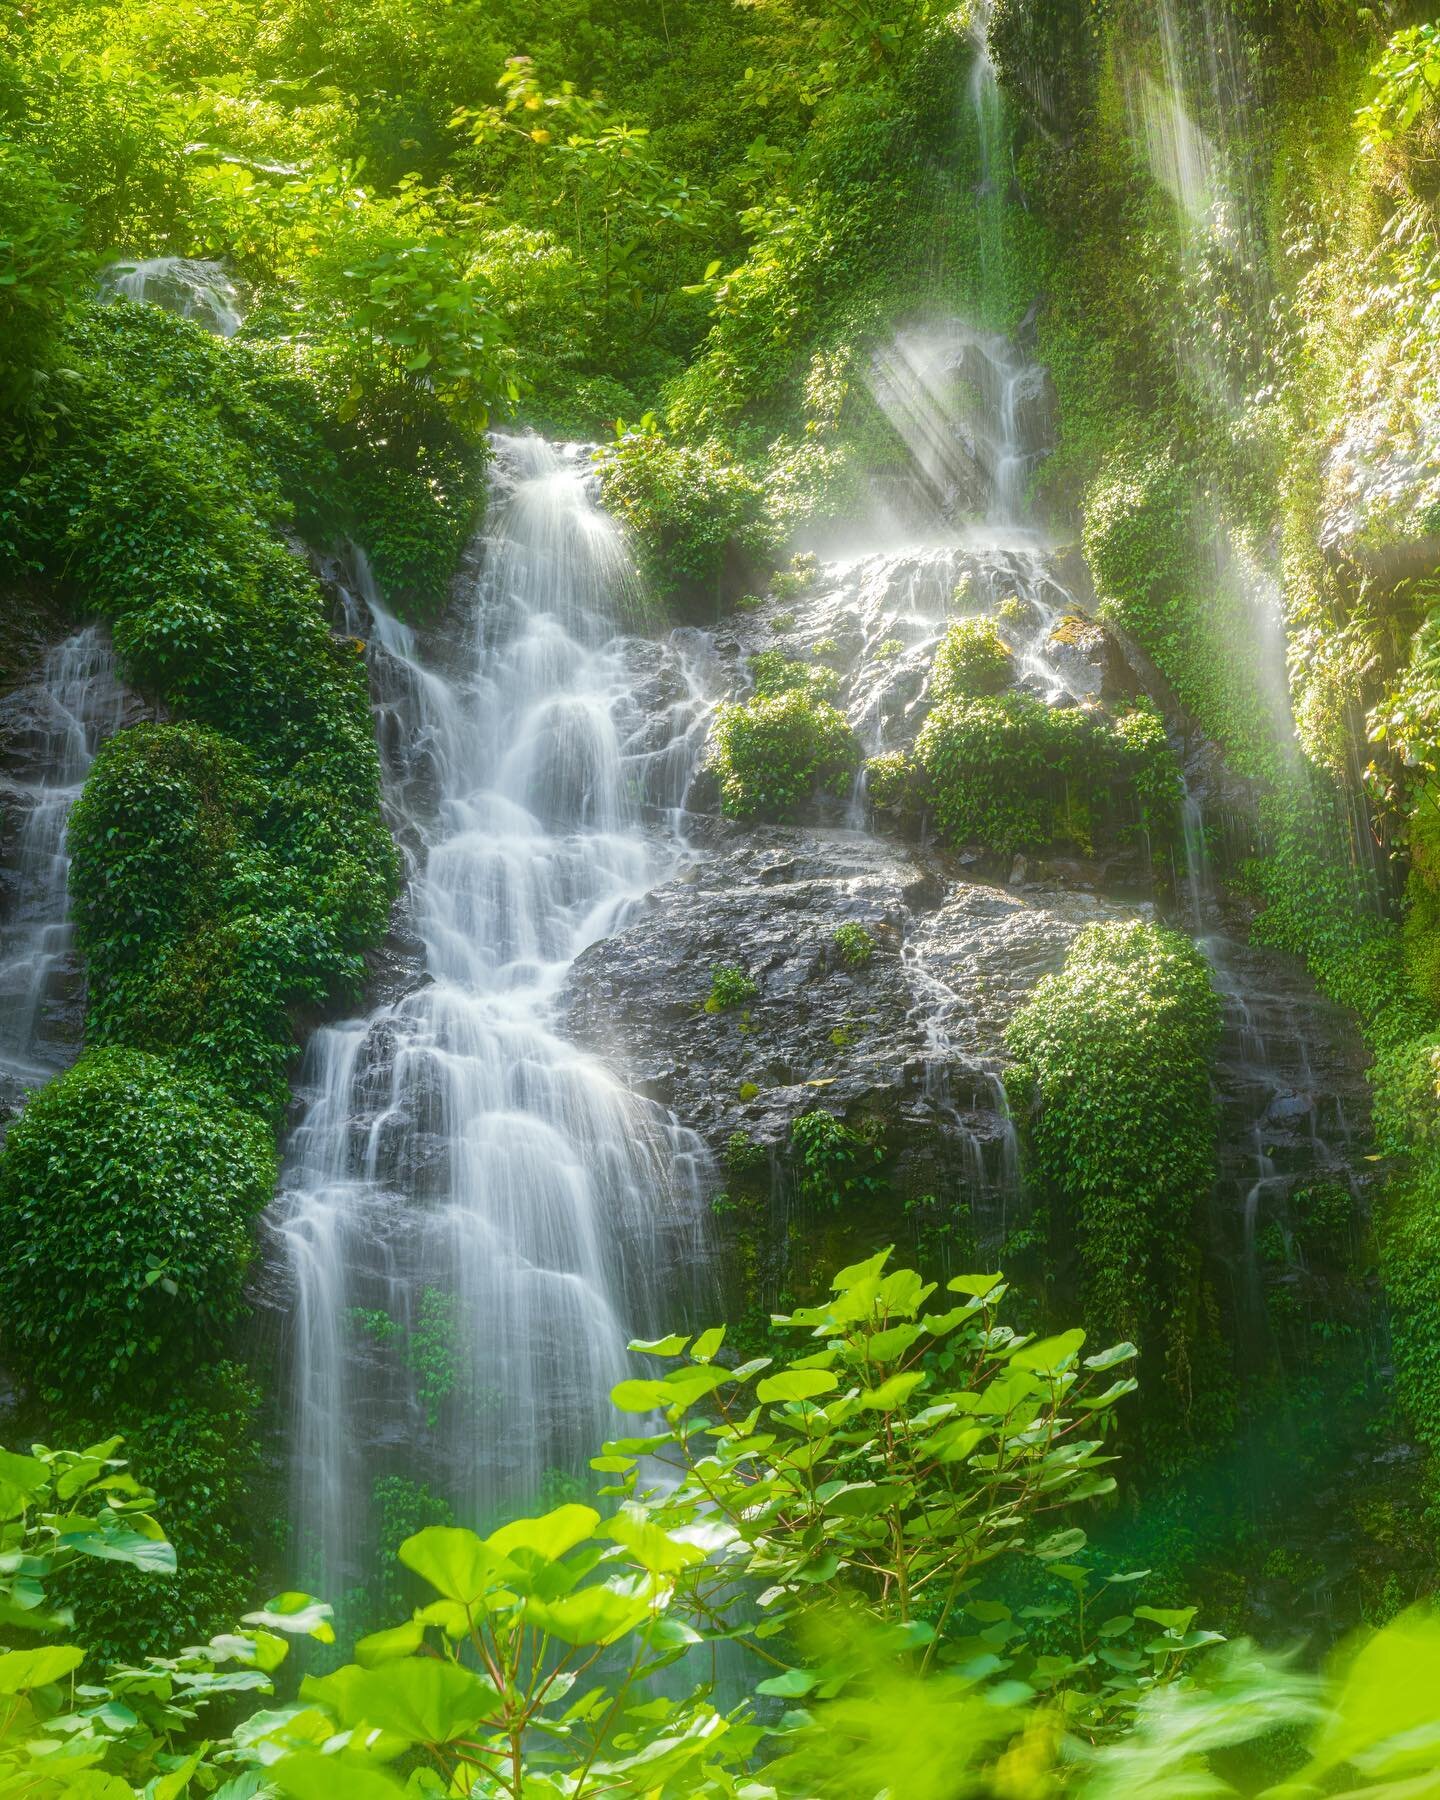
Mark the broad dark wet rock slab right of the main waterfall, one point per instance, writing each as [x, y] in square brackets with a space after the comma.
[910, 1038]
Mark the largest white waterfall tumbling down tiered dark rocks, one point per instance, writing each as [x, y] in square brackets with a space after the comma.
[476, 1216]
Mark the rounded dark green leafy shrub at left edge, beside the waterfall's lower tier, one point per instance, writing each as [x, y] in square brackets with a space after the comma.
[127, 1198]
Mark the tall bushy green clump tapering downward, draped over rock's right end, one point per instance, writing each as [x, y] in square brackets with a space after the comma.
[1113, 1074]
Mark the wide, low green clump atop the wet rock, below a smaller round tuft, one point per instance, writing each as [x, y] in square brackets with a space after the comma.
[1011, 773]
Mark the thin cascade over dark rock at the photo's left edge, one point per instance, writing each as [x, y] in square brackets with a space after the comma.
[49, 732]
